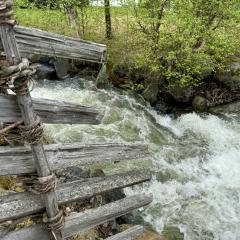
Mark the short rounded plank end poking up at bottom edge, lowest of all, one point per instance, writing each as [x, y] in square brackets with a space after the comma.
[128, 234]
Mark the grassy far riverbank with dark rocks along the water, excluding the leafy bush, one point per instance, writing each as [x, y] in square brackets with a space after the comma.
[217, 88]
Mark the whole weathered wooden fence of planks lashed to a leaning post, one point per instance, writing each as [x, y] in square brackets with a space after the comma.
[21, 120]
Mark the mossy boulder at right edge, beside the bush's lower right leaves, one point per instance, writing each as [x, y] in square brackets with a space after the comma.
[230, 77]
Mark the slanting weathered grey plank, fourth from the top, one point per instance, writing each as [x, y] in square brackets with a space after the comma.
[19, 205]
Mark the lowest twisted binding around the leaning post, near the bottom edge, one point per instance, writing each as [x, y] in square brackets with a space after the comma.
[55, 224]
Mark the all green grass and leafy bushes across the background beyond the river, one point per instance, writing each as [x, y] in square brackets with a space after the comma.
[182, 40]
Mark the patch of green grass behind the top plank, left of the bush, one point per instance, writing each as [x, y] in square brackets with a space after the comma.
[123, 44]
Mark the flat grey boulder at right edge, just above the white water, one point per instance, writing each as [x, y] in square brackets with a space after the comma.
[230, 108]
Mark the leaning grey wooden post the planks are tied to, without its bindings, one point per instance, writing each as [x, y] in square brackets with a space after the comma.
[25, 105]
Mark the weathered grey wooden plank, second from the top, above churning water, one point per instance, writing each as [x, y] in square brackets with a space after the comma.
[50, 111]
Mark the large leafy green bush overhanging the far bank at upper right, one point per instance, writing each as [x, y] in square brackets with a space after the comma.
[187, 39]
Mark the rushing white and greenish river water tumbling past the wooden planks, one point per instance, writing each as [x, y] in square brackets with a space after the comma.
[195, 158]
